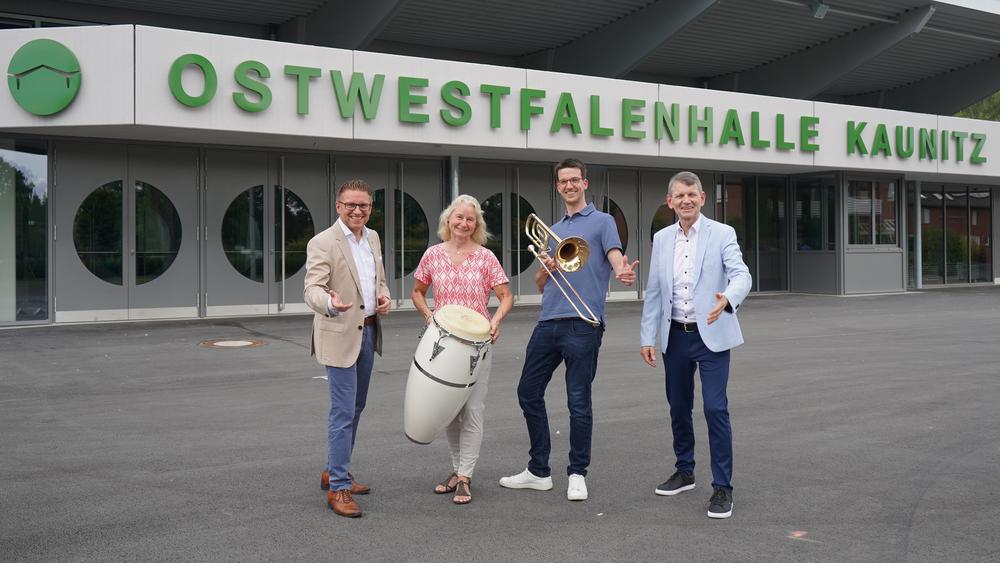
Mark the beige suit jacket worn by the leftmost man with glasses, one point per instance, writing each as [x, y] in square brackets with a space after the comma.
[336, 341]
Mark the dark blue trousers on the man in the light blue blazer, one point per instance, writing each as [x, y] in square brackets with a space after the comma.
[685, 352]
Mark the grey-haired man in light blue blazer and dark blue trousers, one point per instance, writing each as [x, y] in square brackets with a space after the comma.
[697, 280]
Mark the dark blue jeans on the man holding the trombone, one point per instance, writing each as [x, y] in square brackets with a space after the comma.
[555, 341]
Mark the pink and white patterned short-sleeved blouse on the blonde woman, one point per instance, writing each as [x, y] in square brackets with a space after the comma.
[468, 285]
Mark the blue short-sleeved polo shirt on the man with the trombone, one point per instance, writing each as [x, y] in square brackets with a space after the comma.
[590, 281]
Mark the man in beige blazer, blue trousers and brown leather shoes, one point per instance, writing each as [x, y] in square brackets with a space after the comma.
[345, 286]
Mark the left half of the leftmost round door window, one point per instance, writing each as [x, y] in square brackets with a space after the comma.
[97, 232]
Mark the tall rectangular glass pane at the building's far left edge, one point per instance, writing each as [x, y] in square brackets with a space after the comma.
[23, 230]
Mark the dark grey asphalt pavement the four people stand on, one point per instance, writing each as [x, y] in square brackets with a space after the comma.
[866, 429]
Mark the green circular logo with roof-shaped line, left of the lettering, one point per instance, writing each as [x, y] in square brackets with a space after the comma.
[43, 77]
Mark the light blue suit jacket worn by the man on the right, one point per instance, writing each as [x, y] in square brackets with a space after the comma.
[718, 268]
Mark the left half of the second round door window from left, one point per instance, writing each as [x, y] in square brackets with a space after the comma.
[243, 233]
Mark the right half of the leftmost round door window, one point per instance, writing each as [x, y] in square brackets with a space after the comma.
[157, 233]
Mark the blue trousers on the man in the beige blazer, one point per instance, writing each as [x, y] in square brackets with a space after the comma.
[348, 395]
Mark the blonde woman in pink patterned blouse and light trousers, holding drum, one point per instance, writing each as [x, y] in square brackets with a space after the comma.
[464, 272]
